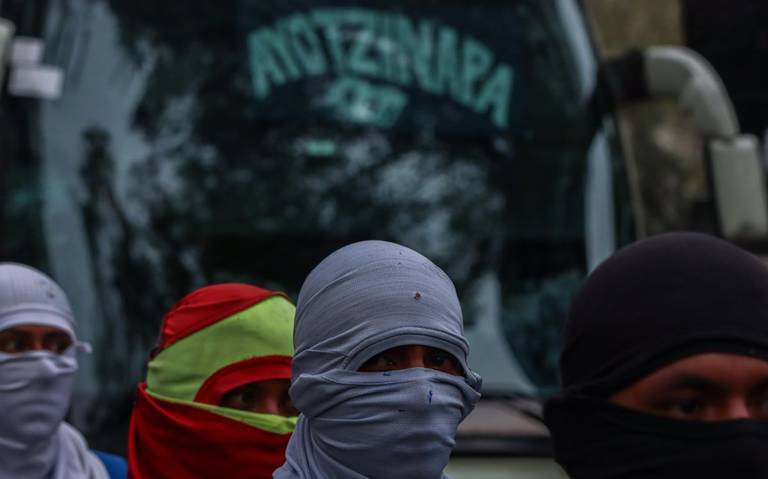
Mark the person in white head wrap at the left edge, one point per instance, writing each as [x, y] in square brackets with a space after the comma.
[38, 348]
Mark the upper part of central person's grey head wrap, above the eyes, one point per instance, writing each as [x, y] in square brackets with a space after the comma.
[369, 291]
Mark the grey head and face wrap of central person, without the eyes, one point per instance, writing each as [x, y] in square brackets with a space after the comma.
[362, 300]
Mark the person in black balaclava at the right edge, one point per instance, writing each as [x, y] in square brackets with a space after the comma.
[665, 365]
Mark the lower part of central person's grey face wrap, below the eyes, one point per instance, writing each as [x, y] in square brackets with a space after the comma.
[411, 414]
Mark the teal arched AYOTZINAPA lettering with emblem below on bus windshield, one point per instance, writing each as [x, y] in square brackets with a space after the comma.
[379, 46]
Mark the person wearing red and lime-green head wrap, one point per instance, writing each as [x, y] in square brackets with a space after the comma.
[215, 402]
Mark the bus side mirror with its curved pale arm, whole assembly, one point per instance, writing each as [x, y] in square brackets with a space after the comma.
[735, 168]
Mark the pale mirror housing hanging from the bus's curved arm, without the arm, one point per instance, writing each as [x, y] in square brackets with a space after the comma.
[739, 187]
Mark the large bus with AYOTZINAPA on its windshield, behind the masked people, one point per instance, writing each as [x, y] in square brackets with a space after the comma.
[148, 148]
